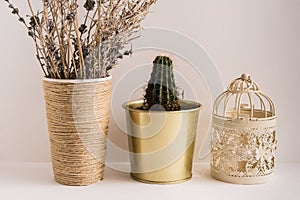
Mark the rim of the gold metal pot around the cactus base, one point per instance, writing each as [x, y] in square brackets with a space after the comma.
[136, 103]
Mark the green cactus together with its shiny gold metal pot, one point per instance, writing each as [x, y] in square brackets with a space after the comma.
[161, 129]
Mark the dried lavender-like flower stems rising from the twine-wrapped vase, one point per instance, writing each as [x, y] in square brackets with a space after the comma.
[67, 49]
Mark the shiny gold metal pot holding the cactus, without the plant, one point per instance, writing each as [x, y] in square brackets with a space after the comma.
[161, 143]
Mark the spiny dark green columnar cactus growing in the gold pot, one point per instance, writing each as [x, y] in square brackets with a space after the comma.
[161, 92]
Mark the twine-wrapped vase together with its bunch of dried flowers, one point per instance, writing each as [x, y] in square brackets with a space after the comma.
[76, 59]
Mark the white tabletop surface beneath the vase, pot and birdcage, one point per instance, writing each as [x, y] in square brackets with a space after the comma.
[35, 181]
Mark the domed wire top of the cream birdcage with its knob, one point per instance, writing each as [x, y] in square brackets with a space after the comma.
[244, 100]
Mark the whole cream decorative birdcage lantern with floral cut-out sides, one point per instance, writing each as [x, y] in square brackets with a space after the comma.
[243, 137]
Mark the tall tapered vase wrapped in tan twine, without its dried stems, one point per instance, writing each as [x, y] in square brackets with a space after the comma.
[78, 116]
